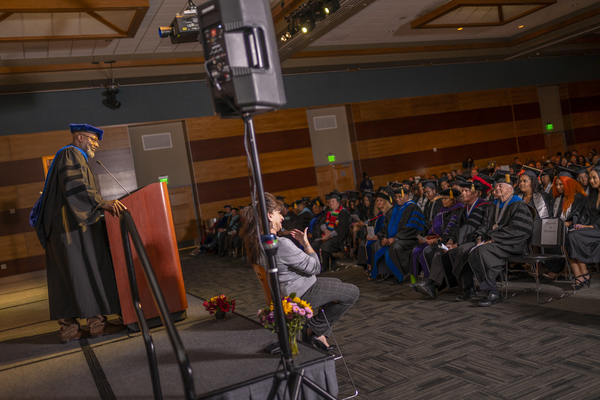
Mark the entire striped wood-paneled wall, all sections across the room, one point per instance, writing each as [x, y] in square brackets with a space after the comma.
[391, 139]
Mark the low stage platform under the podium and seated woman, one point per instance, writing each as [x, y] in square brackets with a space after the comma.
[227, 357]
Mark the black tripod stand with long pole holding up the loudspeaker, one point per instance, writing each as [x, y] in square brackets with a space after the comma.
[293, 377]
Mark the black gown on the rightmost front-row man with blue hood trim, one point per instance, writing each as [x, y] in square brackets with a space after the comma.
[509, 234]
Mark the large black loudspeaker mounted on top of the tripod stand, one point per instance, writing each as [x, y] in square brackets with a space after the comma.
[241, 59]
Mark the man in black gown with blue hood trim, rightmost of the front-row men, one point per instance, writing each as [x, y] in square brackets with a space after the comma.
[511, 228]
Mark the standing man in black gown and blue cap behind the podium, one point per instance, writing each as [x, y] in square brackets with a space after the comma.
[81, 280]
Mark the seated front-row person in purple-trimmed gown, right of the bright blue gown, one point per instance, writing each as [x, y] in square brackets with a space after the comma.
[444, 230]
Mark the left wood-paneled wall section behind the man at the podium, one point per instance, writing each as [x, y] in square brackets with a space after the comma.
[22, 180]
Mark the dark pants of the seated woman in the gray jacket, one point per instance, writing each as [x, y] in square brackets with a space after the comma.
[334, 297]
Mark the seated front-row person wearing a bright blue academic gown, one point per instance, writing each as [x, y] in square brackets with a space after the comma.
[397, 237]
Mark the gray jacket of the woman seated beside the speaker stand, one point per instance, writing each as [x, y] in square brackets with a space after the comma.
[297, 270]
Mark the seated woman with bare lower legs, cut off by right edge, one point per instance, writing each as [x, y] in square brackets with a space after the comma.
[583, 243]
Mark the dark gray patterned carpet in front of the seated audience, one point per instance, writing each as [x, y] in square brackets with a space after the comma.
[400, 345]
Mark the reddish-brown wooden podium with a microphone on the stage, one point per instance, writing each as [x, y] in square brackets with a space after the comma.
[150, 209]
